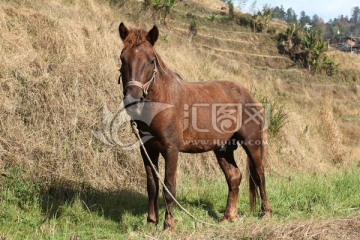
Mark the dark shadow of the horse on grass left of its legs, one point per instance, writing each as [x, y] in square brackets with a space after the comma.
[109, 204]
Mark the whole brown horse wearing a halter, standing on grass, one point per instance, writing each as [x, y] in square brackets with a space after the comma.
[197, 117]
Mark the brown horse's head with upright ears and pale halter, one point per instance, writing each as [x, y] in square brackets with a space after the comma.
[138, 64]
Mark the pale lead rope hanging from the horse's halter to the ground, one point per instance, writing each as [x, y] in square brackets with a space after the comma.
[136, 132]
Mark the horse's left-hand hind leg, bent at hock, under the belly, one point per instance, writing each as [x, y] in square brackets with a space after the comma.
[232, 173]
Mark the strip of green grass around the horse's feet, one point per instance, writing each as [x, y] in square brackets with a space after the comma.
[28, 211]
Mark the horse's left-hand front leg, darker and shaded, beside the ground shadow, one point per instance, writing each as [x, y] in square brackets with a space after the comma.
[152, 184]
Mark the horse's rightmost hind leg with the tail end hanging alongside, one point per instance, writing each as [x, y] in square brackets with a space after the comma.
[255, 149]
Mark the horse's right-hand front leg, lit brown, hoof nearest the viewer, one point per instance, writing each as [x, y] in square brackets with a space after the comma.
[171, 158]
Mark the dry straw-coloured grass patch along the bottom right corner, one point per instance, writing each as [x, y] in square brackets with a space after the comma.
[338, 228]
